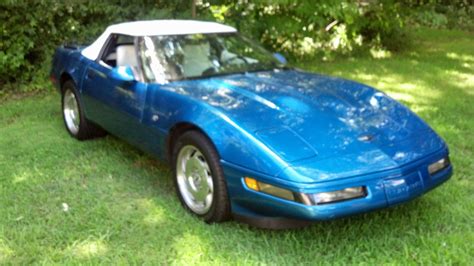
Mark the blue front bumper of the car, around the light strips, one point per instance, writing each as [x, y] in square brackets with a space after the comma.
[384, 189]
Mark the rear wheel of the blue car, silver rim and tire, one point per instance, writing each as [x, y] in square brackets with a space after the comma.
[76, 123]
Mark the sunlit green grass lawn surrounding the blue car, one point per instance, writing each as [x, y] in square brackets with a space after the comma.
[103, 201]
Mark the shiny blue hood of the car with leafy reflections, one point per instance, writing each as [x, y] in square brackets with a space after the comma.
[302, 115]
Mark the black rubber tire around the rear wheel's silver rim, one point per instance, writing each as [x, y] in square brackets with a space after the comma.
[85, 128]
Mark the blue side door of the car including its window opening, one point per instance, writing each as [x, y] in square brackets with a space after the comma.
[115, 103]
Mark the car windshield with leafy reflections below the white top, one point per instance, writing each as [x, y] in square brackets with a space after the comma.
[177, 57]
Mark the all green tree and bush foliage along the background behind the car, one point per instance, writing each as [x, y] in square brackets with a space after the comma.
[30, 30]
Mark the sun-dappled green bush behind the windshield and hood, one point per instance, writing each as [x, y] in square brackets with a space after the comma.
[322, 28]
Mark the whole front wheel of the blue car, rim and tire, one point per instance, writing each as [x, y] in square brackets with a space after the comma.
[199, 179]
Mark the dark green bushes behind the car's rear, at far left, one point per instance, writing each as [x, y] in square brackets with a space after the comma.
[31, 30]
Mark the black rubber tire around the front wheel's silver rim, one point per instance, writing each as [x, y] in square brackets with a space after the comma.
[219, 210]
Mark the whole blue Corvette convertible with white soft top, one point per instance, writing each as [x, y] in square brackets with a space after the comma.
[247, 136]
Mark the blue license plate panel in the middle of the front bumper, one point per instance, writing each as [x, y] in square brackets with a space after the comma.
[401, 189]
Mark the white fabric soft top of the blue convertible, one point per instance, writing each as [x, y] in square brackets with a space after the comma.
[154, 28]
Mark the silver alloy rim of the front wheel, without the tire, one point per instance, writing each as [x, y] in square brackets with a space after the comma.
[194, 179]
